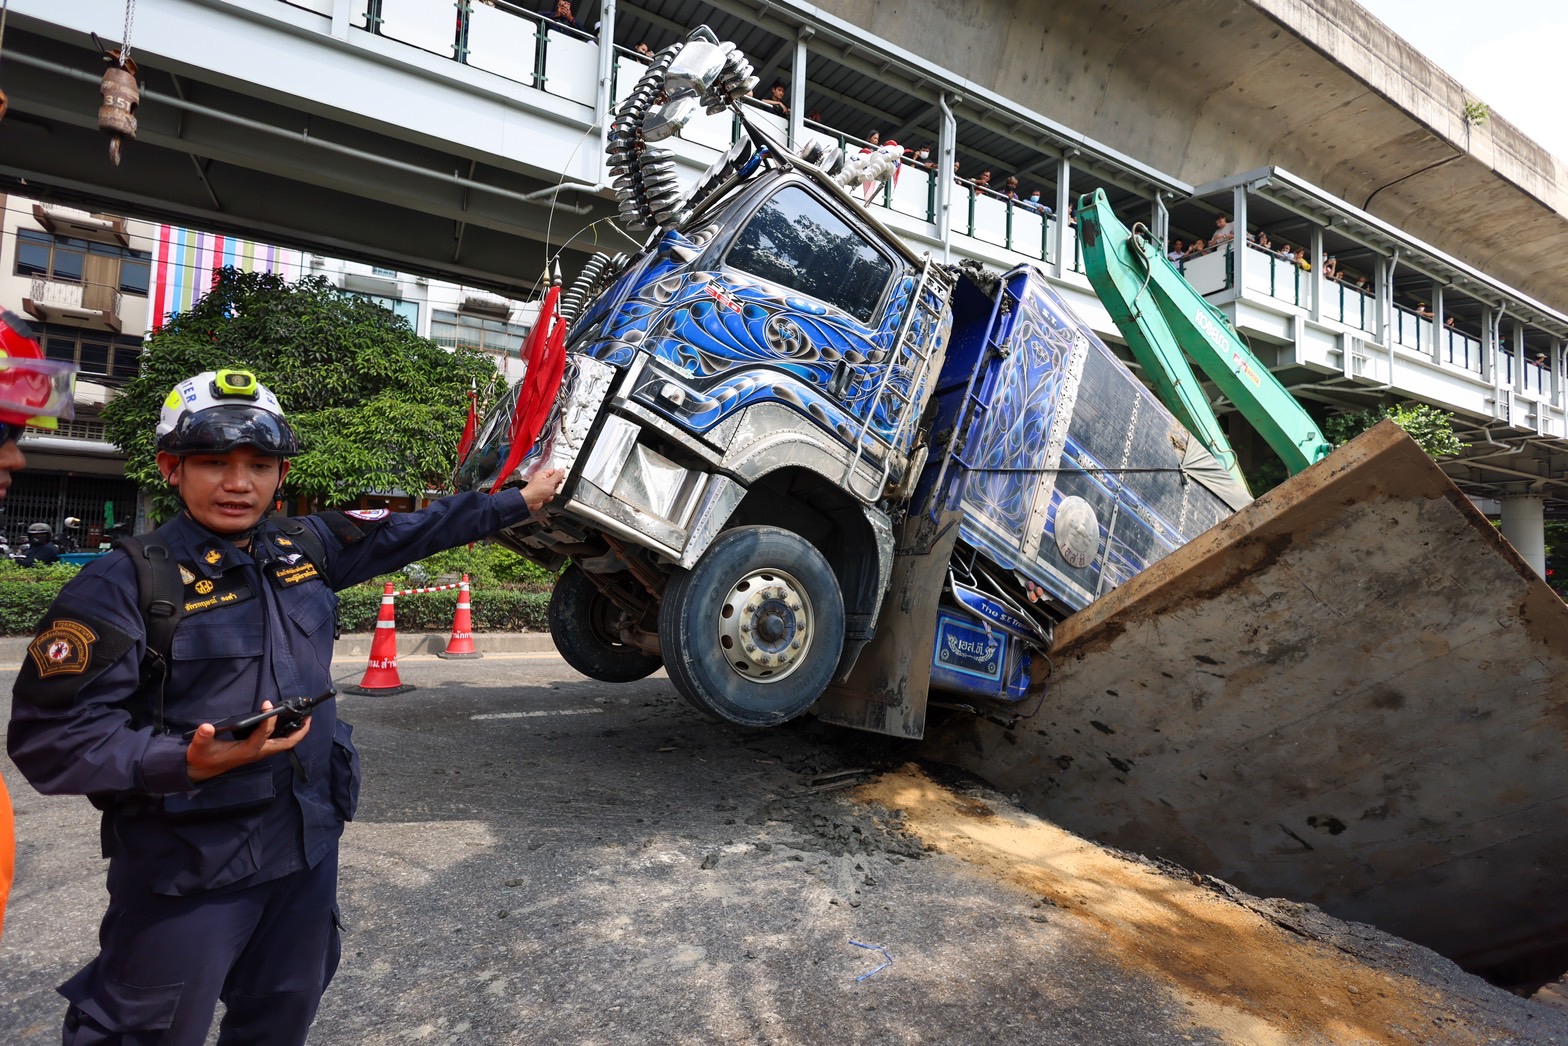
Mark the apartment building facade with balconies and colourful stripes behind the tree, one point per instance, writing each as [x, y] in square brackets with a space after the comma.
[93, 286]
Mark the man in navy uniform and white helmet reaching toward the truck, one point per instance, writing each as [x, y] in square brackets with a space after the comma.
[223, 851]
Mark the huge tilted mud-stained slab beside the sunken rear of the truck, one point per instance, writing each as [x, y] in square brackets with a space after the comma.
[1352, 694]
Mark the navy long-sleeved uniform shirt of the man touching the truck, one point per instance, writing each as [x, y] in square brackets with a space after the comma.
[256, 627]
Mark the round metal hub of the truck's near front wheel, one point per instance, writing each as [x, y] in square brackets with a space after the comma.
[766, 627]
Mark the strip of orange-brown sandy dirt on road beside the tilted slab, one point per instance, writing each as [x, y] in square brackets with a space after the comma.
[1254, 972]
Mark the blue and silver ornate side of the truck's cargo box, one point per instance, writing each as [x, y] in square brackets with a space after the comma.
[1070, 474]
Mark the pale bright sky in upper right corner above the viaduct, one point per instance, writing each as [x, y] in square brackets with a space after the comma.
[1508, 53]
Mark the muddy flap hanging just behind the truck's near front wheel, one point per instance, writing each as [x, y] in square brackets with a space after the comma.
[888, 686]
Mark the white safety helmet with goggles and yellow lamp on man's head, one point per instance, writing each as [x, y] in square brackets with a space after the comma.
[222, 410]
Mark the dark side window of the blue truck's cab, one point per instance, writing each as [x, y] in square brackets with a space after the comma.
[797, 242]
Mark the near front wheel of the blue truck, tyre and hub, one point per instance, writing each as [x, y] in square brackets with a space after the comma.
[753, 633]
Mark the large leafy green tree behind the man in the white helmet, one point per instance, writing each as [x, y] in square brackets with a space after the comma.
[376, 405]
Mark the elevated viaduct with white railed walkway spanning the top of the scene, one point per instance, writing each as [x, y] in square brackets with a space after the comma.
[376, 129]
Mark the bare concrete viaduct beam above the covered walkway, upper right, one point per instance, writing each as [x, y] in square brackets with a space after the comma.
[1208, 89]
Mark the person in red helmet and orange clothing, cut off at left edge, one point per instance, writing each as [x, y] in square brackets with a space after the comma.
[34, 391]
